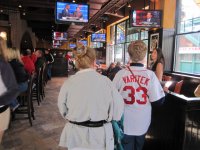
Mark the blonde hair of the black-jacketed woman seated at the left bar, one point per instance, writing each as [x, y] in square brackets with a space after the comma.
[14, 54]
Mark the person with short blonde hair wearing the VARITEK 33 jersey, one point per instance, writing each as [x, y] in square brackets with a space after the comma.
[139, 87]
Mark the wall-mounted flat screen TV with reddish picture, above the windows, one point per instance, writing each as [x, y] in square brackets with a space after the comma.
[145, 18]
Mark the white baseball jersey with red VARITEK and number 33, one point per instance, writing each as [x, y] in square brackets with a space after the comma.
[137, 112]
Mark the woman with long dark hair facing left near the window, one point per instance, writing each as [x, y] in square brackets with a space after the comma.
[158, 63]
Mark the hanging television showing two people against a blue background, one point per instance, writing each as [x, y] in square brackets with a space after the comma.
[71, 12]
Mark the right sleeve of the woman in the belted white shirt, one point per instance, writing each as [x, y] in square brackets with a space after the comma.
[118, 104]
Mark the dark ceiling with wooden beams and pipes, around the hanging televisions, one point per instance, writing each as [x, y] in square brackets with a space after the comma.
[40, 17]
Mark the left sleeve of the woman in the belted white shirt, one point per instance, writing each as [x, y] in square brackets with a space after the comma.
[62, 100]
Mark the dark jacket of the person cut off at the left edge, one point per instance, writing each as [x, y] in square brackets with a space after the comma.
[7, 78]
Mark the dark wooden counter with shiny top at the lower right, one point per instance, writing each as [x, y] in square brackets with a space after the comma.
[175, 125]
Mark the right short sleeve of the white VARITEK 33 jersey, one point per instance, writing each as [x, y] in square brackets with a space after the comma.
[155, 91]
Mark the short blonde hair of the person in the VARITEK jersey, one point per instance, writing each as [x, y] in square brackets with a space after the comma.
[137, 50]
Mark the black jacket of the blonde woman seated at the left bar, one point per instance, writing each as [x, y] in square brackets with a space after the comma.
[19, 70]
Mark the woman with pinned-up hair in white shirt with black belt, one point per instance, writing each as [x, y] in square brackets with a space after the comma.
[89, 102]
